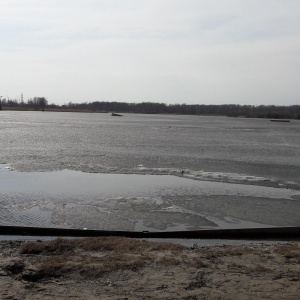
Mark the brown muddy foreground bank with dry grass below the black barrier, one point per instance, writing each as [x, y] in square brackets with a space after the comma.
[122, 268]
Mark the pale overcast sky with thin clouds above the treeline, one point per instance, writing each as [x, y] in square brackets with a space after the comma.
[171, 51]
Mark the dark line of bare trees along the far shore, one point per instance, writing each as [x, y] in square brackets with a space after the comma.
[230, 110]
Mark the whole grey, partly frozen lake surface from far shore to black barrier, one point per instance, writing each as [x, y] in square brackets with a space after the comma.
[83, 170]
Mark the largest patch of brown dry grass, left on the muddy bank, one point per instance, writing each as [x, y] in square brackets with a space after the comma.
[91, 257]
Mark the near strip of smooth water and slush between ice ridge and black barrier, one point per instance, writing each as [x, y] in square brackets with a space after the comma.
[139, 202]
